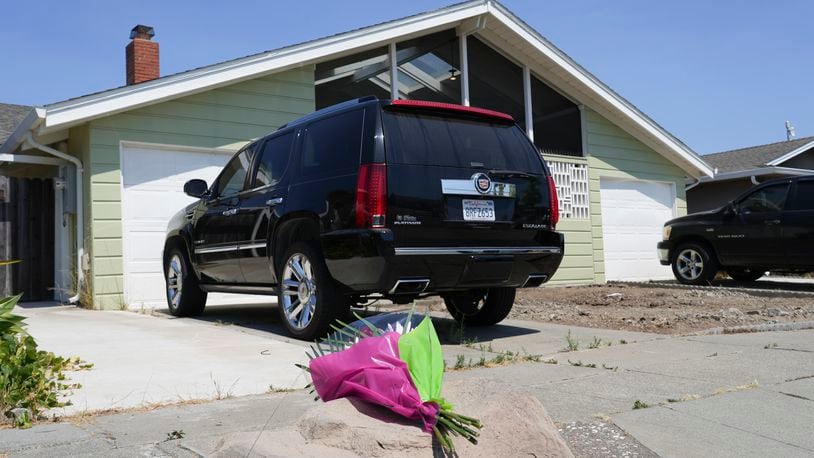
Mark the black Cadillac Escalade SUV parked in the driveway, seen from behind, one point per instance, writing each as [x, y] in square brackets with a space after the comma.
[371, 199]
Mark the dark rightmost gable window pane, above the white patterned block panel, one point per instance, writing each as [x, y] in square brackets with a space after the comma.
[556, 121]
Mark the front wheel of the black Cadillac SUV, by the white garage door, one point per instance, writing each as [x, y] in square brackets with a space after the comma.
[184, 296]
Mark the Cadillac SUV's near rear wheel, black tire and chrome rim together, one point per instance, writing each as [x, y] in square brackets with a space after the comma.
[308, 298]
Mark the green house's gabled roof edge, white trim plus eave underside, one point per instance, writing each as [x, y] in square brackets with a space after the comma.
[483, 16]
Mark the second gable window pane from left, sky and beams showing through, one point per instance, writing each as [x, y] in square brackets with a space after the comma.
[429, 68]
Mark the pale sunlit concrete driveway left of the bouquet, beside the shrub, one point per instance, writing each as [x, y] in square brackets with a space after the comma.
[139, 359]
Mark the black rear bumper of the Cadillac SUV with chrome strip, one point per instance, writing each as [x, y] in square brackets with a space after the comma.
[368, 261]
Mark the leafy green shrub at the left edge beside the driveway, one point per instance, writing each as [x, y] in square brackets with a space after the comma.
[30, 379]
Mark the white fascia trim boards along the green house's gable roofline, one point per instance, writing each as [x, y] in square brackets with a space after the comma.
[69, 113]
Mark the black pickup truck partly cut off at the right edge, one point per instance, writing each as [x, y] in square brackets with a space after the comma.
[770, 227]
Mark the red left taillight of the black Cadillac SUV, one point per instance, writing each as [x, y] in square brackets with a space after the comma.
[371, 196]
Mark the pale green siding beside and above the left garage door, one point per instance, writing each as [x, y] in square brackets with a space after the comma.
[226, 117]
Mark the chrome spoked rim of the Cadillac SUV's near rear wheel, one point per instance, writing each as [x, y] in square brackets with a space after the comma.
[299, 291]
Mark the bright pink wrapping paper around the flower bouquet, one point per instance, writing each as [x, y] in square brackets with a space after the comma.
[371, 370]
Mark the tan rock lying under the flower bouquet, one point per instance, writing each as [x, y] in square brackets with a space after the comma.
[515, 424]
